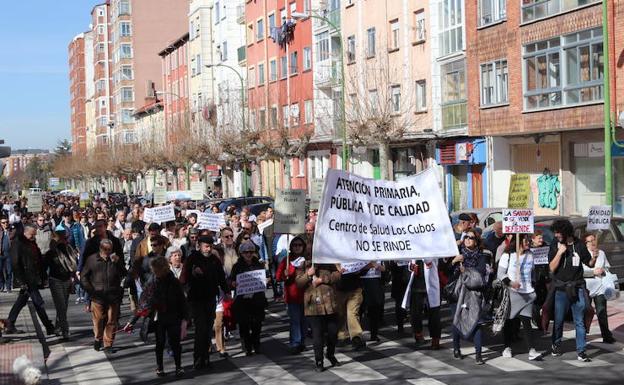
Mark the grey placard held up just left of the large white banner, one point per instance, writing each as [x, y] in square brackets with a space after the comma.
[290, 211]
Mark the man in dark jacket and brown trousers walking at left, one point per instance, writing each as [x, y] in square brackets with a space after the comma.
[101, 277]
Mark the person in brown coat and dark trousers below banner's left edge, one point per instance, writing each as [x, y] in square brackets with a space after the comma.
[320, 308]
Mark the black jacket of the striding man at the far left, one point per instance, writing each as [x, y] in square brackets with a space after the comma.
[28, 266]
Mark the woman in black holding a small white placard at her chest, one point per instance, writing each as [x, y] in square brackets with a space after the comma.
[248, 308]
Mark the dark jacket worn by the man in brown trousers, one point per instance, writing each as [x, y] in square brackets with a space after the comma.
[102, 278]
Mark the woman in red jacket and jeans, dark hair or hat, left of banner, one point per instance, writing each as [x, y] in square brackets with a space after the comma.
[293, 295]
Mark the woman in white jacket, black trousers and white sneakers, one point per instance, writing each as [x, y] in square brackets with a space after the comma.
[515, 271]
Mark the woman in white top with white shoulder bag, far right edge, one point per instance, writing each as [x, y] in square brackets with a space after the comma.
[594, 279]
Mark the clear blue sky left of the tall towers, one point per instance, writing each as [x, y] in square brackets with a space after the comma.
[34, 85]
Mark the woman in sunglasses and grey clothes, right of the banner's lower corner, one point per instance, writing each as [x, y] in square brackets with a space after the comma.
[469, 269]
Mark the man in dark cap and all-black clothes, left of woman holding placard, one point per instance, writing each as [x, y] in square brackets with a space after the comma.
[203, 274]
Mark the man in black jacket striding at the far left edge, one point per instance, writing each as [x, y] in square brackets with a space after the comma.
[29, 276]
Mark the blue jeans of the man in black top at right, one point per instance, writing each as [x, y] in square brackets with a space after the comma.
[562, 303]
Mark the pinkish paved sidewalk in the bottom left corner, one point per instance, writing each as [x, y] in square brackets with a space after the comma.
[17, 345]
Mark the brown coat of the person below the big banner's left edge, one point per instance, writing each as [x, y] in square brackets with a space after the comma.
[320, 300]
